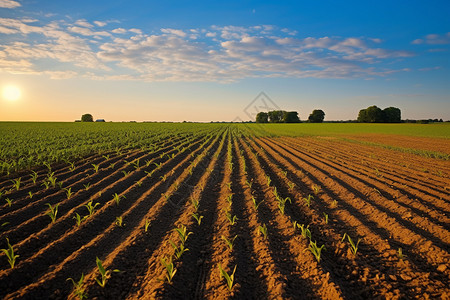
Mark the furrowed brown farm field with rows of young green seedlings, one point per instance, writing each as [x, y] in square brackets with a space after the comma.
[172, 211]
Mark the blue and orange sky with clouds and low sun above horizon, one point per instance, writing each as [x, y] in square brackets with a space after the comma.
[222, 60]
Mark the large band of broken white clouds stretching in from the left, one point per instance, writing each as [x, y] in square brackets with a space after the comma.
[63, 49]
